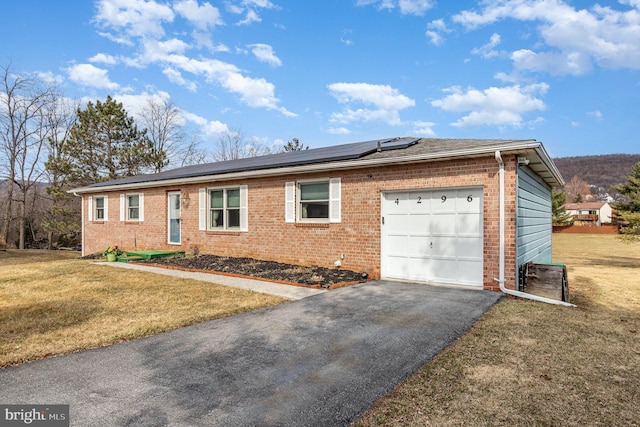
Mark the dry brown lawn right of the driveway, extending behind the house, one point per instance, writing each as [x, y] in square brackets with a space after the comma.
[530, 363]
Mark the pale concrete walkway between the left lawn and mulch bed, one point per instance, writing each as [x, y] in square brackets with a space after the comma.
[278, 289]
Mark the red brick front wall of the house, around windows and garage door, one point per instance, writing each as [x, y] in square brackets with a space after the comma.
[357, 237]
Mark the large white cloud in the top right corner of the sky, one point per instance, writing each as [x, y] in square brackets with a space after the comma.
[575, 39]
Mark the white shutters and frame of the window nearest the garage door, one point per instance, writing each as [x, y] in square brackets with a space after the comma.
[293, 201]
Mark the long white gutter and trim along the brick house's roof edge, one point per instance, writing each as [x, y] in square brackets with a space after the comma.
[519, 147]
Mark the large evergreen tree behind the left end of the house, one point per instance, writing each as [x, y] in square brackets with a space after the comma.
[104, 144]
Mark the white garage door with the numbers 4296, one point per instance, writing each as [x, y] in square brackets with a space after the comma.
[433, 235]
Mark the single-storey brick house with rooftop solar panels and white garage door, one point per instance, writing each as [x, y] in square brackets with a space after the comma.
[406, 208]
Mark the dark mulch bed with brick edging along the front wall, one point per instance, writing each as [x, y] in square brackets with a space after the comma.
[270, 270]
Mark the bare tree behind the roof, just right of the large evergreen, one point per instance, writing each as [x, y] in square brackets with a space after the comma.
[171, 144]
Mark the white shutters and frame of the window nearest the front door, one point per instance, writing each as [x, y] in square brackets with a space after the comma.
[205, 209]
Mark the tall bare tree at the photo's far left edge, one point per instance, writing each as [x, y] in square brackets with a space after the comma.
[23, 133]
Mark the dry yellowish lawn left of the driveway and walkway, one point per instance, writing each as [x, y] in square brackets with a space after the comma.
[52, 303]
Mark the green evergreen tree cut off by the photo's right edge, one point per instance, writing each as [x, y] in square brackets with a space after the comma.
[628, 213]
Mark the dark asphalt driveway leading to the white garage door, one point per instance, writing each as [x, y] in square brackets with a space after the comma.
[319, 361]
